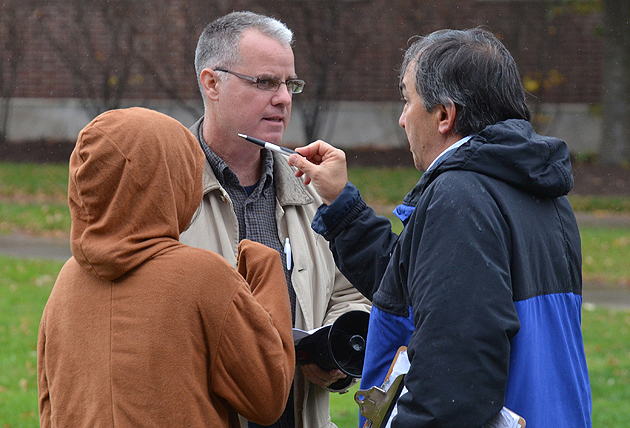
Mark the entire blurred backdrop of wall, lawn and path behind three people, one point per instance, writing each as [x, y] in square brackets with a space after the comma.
[65, 61]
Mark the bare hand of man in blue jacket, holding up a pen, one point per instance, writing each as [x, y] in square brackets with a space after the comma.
[324, 166]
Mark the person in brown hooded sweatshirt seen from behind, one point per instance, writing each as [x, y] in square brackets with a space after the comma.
[141, 330]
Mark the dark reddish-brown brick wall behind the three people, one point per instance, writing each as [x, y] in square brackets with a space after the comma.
[345, 49]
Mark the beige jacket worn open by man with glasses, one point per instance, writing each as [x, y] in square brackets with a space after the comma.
[322, 292]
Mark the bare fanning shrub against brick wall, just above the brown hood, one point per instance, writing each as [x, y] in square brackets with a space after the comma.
[96, 44]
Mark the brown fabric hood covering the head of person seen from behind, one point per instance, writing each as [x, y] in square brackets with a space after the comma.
[135, 183]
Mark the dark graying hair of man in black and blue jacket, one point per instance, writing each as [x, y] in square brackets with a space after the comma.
[472, 70]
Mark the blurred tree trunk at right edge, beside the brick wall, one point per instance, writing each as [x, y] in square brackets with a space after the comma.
[615, 145]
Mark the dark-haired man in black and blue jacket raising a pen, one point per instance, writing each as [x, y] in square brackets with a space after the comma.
[484, 283]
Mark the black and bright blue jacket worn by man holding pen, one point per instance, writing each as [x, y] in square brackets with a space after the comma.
[483, 284]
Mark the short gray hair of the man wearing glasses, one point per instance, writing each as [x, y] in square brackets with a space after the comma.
[219, 43]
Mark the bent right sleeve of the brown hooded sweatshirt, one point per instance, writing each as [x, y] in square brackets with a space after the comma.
[256, 360]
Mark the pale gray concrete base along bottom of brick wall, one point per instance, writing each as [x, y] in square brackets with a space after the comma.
[346, 124]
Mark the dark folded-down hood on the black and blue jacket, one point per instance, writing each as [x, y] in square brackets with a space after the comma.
[510, 151]
